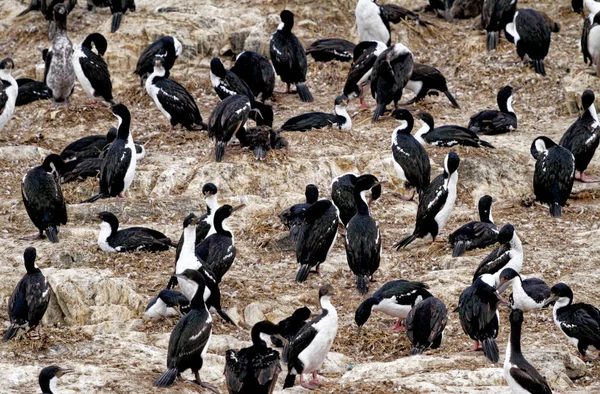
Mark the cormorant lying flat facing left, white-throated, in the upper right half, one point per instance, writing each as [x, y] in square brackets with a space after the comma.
[448, 135]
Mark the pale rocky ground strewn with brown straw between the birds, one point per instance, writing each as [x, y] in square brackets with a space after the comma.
[94, 322]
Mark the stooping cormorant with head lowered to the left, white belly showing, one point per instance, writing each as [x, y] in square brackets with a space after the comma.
[395, 298]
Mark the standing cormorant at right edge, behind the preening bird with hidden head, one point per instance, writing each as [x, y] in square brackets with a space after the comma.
[583, 136]
